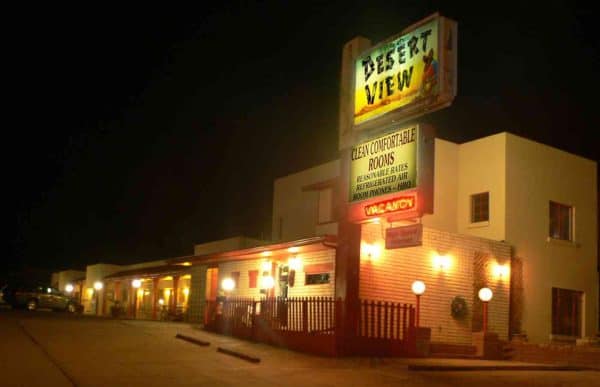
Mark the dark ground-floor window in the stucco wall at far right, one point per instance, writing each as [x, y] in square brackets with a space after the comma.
[566, 312]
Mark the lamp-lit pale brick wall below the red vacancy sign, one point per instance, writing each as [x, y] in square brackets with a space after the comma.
[388, 276]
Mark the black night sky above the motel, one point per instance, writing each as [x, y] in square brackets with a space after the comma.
[140, 132]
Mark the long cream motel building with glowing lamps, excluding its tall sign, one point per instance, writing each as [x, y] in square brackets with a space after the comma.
[502, 220]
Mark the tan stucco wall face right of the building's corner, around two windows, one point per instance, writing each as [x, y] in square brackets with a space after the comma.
[536, 175]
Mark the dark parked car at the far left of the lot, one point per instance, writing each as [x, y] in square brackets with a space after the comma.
[34, 297]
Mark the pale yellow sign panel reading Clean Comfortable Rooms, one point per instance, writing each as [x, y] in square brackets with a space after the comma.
[384, 165]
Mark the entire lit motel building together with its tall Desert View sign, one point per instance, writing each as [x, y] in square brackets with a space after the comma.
[407, 244]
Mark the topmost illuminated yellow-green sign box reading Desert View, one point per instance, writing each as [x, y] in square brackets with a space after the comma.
[408, 75]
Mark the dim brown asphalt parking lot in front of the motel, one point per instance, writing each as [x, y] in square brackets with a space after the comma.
[58, 349]
